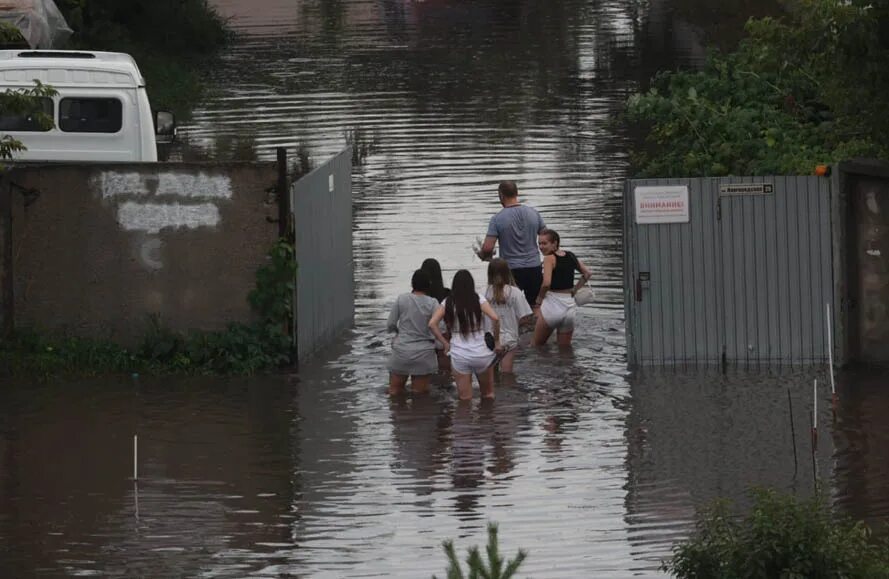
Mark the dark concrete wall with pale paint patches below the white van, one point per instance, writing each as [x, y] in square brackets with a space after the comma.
[97, 249]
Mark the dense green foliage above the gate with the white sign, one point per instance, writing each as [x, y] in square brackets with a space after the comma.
[807, 89]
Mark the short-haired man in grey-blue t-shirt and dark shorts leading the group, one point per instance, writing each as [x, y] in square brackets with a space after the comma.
[516, 227]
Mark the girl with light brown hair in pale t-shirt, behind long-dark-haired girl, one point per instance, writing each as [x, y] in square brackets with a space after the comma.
[511, 306]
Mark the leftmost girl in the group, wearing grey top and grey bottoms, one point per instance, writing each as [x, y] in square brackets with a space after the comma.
[413, 348]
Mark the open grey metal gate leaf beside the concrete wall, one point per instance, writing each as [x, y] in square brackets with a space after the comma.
[322, 218]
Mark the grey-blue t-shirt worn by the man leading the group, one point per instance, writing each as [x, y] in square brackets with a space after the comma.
[516, 228]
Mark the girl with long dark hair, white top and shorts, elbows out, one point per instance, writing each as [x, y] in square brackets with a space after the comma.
[462, 312]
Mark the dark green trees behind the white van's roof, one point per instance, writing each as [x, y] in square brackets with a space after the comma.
[171, 41]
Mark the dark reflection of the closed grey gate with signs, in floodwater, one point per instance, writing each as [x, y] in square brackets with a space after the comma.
[697, 435]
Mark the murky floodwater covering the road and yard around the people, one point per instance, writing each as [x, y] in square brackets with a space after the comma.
[594, 471]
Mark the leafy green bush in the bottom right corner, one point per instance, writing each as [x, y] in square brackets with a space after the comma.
[781, 537]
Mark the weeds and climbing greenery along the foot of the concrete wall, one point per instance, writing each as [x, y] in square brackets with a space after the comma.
[239, 349]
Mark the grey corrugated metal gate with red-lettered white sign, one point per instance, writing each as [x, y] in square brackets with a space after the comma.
[745, 279]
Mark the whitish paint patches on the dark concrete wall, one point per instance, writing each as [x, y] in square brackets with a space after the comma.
[149, 204]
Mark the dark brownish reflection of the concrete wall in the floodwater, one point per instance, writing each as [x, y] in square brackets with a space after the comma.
[211, 455]
